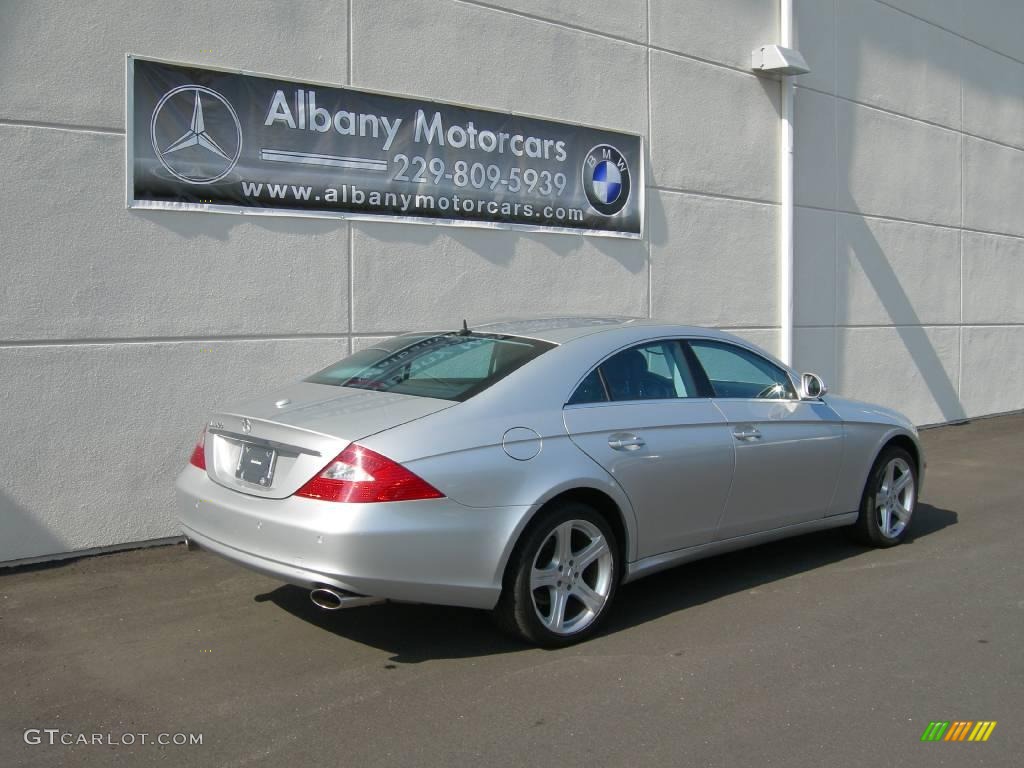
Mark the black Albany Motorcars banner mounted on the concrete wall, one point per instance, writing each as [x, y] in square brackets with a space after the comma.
[215, 141]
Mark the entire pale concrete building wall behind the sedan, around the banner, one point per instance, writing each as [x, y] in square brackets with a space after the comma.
[120, 330]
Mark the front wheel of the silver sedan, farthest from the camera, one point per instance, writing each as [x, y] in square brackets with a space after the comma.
[889, 500]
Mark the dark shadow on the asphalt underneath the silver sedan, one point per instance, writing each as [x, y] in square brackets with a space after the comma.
[419, 633]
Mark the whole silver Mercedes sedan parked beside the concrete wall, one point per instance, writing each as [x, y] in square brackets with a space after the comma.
[531, 467]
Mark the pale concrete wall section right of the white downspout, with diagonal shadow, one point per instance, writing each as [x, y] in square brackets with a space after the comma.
[910, 180]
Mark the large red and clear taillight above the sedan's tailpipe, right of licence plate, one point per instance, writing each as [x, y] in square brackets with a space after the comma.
[359, 476]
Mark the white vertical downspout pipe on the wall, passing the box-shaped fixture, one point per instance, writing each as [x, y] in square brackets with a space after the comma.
[786, 194]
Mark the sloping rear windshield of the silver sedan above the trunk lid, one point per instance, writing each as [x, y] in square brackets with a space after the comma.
[451, 367]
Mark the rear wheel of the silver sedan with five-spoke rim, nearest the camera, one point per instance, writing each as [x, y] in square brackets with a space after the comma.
[562, 578]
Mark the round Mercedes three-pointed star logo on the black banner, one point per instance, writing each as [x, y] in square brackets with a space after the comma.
[211, 144]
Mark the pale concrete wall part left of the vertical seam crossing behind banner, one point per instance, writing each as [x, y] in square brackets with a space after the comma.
[120, 330]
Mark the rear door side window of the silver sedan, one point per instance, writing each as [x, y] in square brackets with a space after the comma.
[648, 372]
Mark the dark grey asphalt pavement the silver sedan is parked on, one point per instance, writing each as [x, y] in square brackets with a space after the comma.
[815, 652]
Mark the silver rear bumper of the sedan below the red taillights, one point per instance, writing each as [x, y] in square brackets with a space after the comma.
[434, 551]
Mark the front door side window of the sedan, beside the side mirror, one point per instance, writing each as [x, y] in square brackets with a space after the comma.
[735, 372]
